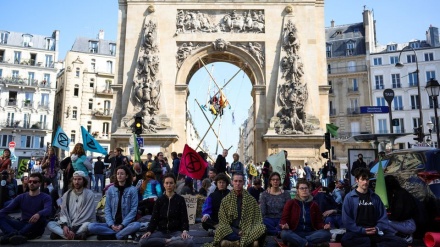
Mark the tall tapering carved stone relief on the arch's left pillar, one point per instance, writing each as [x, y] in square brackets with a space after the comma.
[146, 85]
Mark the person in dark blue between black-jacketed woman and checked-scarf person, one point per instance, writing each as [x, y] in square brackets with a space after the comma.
[212, 203]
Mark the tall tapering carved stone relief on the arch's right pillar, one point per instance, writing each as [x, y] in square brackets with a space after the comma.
[292, 92]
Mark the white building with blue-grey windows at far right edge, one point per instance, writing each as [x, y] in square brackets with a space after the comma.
[420, 56]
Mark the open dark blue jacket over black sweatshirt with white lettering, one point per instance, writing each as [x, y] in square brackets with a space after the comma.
[349, 212]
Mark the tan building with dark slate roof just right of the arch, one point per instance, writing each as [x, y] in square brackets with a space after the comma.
[347, 49]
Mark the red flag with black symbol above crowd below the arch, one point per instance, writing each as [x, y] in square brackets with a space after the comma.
[192, 164]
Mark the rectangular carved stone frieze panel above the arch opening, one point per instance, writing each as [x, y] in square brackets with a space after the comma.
[213, 21]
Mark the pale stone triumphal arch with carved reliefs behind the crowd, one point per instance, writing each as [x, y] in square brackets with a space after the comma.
[279, 45]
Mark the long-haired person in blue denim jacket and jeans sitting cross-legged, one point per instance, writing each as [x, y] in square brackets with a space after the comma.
[120, 209]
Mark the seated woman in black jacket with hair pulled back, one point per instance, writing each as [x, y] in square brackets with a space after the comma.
[169, 223]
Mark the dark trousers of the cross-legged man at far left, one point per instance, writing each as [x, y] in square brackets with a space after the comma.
[12, 227]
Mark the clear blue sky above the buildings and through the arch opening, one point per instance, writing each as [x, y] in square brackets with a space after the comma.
[396, 20]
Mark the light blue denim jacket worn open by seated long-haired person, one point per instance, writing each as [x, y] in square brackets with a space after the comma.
[128, 206]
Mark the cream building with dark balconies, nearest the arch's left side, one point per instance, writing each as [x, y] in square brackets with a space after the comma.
[85, 93]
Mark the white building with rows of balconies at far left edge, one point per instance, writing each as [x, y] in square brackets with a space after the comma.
[27, 92]
